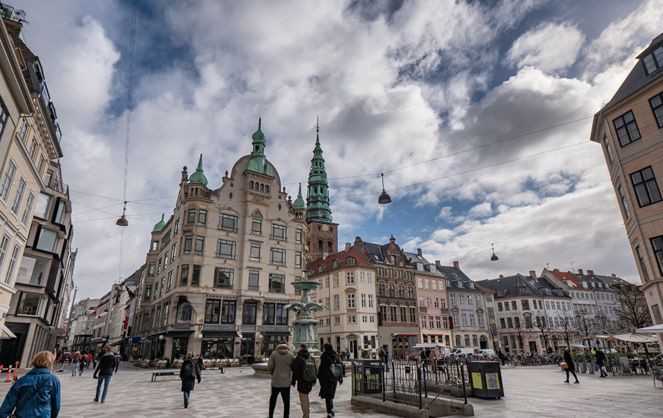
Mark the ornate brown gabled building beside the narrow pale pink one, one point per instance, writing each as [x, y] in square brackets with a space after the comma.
[398, 326]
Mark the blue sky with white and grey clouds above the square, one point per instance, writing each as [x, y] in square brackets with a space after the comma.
[477, 112]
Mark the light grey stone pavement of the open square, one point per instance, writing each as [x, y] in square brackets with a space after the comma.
[530, 392]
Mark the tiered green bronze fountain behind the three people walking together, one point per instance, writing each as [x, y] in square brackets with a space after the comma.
[305, 326]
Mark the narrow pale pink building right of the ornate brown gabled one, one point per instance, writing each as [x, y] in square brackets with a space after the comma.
[431, 294]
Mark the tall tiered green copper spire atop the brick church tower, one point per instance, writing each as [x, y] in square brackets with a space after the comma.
[317, 200]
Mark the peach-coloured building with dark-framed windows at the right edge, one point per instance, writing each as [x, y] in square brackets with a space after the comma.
[629, 129]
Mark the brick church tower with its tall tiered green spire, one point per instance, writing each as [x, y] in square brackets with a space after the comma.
[322, 233]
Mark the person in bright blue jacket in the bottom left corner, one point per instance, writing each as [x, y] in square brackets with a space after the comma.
[37, 394]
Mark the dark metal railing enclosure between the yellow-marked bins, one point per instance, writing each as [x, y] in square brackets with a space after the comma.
[412, 383]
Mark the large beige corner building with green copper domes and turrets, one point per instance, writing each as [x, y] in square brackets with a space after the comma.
[220, 268]
